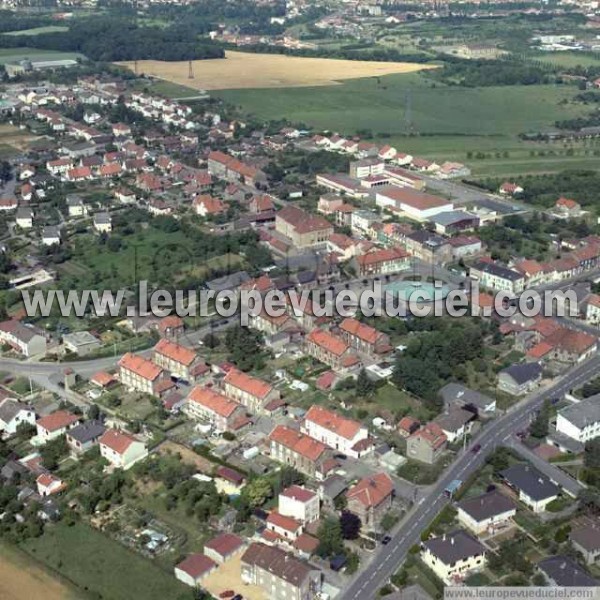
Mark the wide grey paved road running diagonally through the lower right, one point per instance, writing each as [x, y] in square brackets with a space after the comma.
[388, 558]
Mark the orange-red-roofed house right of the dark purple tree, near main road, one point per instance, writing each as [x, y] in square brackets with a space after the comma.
[371, 498]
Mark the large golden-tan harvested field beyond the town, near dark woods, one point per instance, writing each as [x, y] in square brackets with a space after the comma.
[245, 70]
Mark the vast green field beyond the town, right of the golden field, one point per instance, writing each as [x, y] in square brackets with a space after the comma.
[447, 122]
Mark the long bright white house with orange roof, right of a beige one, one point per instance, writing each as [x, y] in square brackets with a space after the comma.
[340, 433]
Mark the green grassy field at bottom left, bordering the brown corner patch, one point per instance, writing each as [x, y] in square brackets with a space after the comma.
[100, 565]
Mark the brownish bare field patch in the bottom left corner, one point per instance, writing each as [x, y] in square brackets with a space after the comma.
[21, 579]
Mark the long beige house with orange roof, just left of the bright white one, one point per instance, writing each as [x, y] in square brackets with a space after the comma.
[298, 450]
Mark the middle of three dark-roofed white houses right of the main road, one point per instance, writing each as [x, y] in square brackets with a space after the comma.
[486, 514]
